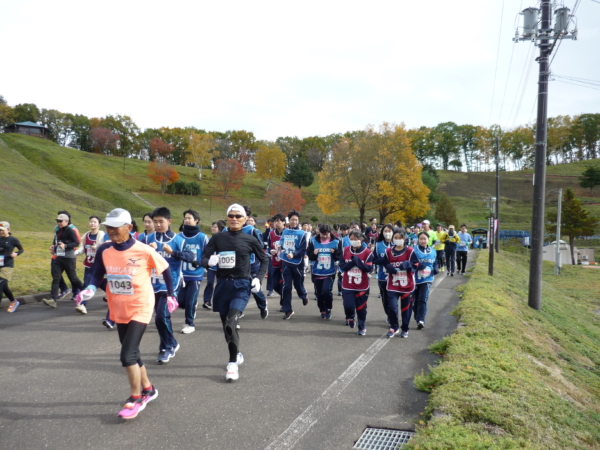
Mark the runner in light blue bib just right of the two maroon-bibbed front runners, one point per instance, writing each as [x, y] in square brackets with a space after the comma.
[426, 257]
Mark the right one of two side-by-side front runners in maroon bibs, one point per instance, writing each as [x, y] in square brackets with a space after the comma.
[400, 262]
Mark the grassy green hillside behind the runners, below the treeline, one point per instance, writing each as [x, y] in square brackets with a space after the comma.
[43, 177]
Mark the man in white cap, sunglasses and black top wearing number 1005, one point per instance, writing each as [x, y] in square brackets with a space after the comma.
[230, 250]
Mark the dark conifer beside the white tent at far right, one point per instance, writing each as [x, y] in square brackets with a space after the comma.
[575, 221]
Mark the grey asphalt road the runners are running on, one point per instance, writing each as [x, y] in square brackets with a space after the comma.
[306, 383]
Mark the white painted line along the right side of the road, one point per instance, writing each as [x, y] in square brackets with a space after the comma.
[311, 415]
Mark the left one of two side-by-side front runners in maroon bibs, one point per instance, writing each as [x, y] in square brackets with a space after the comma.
[356, 264]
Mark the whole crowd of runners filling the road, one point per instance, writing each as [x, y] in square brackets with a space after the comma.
[159, 270]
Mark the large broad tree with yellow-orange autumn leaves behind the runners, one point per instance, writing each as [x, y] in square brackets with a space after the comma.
[374, 170]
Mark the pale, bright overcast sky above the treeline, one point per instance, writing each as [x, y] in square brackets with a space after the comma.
[280, 68]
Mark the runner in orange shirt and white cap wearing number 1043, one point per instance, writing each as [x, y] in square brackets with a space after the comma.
[128, 265]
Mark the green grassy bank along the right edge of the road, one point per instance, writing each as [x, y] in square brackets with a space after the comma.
[513, 377]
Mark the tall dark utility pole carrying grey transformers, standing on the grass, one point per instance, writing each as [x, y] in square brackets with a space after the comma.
[547, 38]
